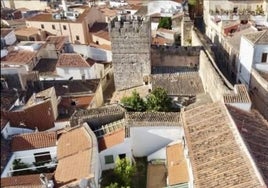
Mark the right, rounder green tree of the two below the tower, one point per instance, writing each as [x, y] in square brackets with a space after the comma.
[158, 100]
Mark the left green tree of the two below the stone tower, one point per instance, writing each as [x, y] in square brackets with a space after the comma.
[134, 102]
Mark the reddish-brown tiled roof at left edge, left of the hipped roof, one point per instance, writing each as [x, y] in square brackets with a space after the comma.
[19, 57]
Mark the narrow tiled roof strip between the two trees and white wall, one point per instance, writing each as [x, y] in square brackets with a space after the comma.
[154, 118]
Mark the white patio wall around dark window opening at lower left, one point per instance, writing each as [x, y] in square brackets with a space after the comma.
[27, 157]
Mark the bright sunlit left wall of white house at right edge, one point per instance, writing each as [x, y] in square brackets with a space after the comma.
[245, 61]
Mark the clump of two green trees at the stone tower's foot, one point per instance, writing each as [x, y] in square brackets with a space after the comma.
[157, 100]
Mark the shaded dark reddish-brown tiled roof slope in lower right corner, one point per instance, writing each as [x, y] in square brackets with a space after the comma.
[254, 129]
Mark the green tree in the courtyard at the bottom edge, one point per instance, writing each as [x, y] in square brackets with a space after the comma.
[124, 171]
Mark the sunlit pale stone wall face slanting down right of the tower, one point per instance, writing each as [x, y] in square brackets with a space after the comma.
[212, 82]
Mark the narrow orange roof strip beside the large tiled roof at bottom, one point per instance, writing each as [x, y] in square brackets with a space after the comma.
[176, 164]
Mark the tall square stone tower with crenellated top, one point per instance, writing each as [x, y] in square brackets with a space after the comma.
[130, 38]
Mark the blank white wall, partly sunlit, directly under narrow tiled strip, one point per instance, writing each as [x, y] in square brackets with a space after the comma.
[146, 140]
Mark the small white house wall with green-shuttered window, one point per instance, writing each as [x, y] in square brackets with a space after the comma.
[123, 148]
